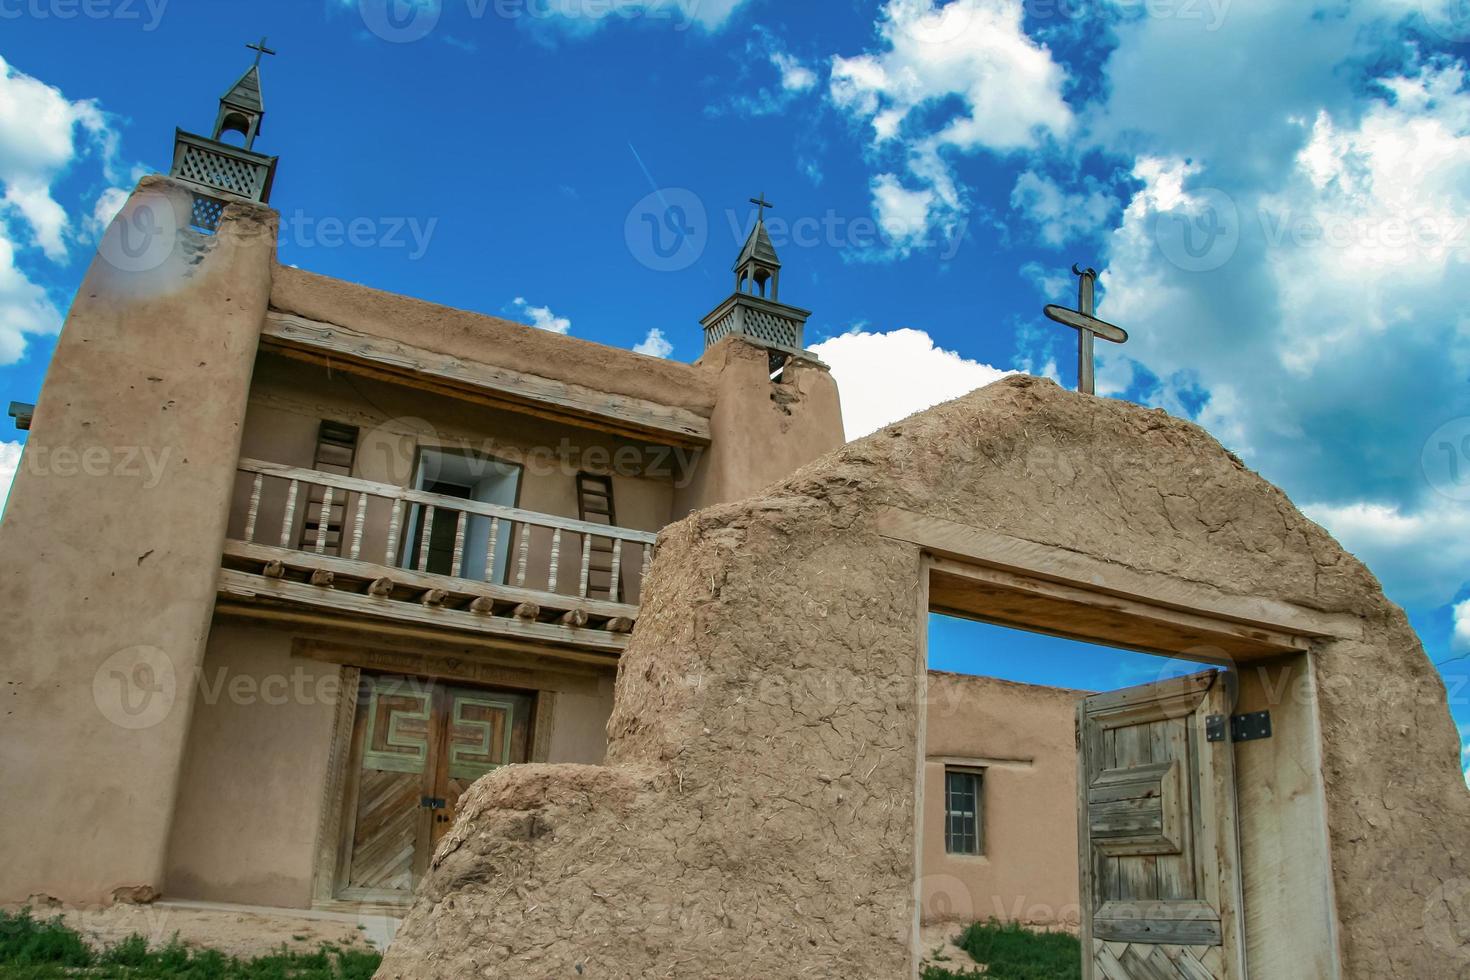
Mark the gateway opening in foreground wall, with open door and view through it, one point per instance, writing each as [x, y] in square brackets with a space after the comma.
[1089, 768]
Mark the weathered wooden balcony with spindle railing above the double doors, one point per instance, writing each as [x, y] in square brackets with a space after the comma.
[312, 547]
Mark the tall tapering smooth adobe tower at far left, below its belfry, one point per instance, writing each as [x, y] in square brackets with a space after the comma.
[112, 538]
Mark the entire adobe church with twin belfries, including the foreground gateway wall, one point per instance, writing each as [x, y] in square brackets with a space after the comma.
[523, 638]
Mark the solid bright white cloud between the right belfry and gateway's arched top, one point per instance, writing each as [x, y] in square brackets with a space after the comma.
[890, 377]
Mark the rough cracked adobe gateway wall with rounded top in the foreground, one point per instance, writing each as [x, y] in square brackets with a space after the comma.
[756, 815]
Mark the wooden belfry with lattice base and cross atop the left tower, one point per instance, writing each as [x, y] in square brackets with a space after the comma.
[223, 173]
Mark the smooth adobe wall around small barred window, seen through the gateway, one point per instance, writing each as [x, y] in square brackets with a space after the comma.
[1022, 738]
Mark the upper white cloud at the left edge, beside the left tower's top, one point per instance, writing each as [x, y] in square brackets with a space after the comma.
[42, 133]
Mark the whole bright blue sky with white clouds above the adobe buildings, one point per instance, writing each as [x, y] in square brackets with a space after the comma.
[1278, 196]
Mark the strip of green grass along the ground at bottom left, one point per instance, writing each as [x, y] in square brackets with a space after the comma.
[49, 950]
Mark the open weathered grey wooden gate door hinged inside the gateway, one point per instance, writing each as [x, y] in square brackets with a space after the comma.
[1159, 851]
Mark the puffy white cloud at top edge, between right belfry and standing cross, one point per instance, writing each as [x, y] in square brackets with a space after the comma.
[968, 54]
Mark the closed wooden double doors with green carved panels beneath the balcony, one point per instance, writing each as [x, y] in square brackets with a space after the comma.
[418, 746]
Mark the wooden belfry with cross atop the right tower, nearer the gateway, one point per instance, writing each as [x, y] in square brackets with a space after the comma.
[755, 311]
